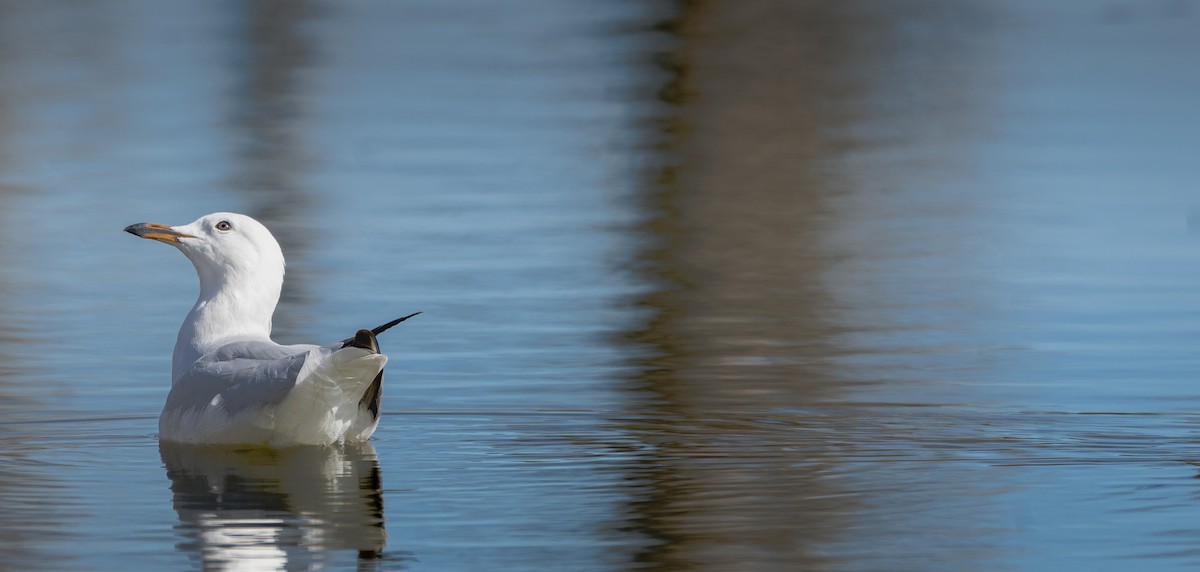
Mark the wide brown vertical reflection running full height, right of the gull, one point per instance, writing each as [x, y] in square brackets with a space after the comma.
[743, 335]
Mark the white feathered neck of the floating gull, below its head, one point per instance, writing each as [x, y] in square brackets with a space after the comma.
[231, 308]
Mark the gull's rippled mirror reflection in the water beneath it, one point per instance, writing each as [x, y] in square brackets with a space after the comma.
[262, 509]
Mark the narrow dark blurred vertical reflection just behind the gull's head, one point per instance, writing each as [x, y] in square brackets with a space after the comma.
[272, 159]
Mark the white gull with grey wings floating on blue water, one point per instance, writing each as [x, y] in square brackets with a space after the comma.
[232, 384]
